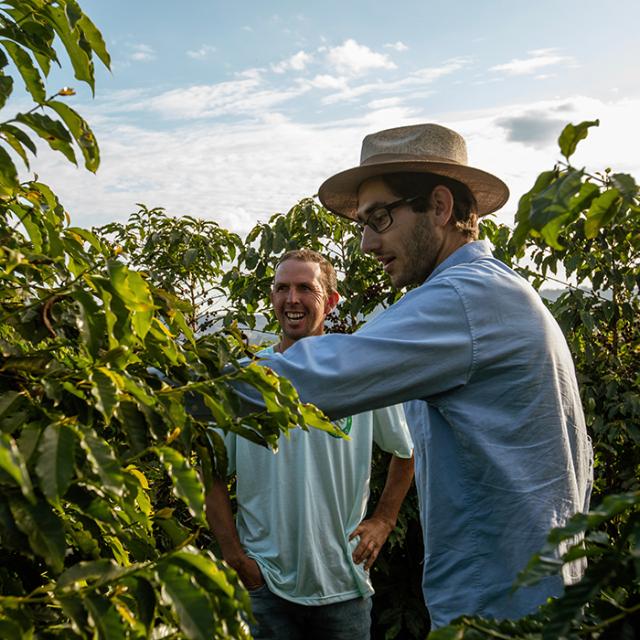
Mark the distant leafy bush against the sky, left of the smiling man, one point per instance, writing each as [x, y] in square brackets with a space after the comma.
[185, 256]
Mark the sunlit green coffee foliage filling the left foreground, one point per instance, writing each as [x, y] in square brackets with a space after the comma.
[101, 505]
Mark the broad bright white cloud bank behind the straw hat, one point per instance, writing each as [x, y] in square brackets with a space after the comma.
[240, 171]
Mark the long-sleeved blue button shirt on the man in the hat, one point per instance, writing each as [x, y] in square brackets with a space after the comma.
[491, 398]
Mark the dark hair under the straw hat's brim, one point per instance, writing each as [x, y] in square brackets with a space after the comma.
[411, 184]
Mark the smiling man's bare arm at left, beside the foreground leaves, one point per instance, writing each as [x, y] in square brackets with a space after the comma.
[221, 522]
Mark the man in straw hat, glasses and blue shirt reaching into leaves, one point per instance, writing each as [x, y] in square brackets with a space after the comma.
[487, 379]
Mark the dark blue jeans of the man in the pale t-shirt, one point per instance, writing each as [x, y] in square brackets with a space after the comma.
[279, 619]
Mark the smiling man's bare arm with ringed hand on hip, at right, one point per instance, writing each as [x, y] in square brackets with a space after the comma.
[374, 531]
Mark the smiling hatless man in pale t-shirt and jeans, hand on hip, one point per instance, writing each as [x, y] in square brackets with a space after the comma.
[300, 543]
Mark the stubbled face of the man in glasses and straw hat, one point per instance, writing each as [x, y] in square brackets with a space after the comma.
[411, 247]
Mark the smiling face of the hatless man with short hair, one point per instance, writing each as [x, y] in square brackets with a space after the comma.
[300, 301]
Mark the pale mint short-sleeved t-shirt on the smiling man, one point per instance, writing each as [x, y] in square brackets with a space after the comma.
[298, 507]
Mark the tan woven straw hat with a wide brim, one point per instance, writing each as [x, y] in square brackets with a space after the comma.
[422, 148]
